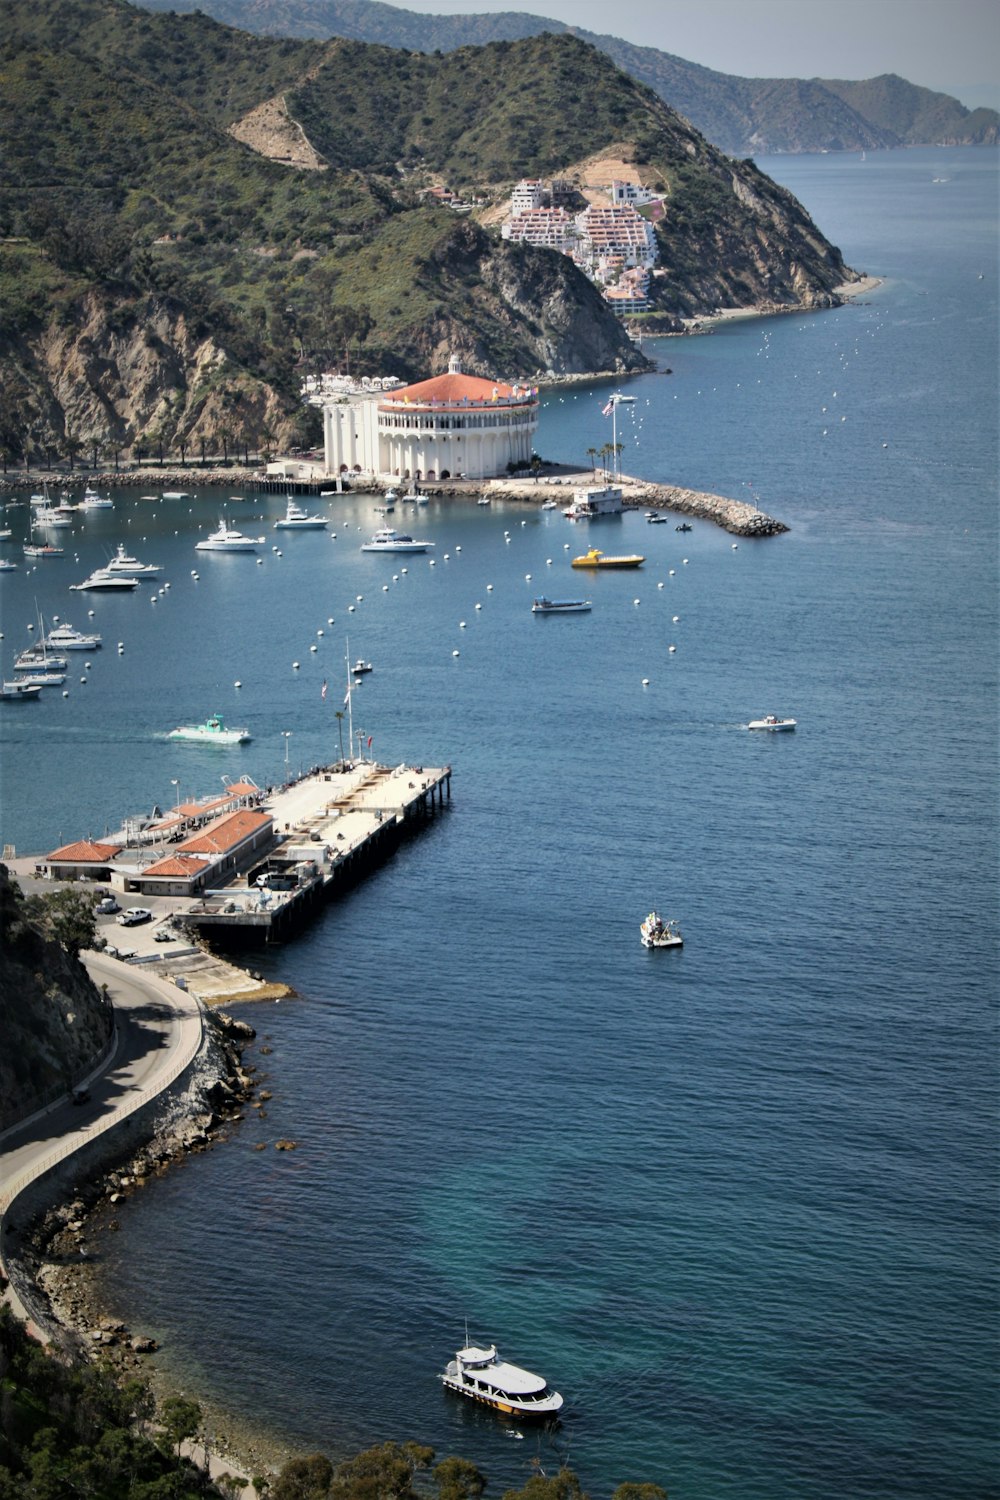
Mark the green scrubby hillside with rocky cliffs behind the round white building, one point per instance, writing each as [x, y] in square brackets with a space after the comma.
[193, 215]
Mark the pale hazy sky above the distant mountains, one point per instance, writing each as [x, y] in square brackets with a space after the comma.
[942, 44]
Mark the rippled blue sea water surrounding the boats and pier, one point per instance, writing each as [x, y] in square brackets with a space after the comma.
[738, 1202]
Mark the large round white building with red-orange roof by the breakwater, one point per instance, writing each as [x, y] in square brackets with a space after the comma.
[449, 427]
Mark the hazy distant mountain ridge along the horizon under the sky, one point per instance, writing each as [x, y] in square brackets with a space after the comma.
[741, 116]
